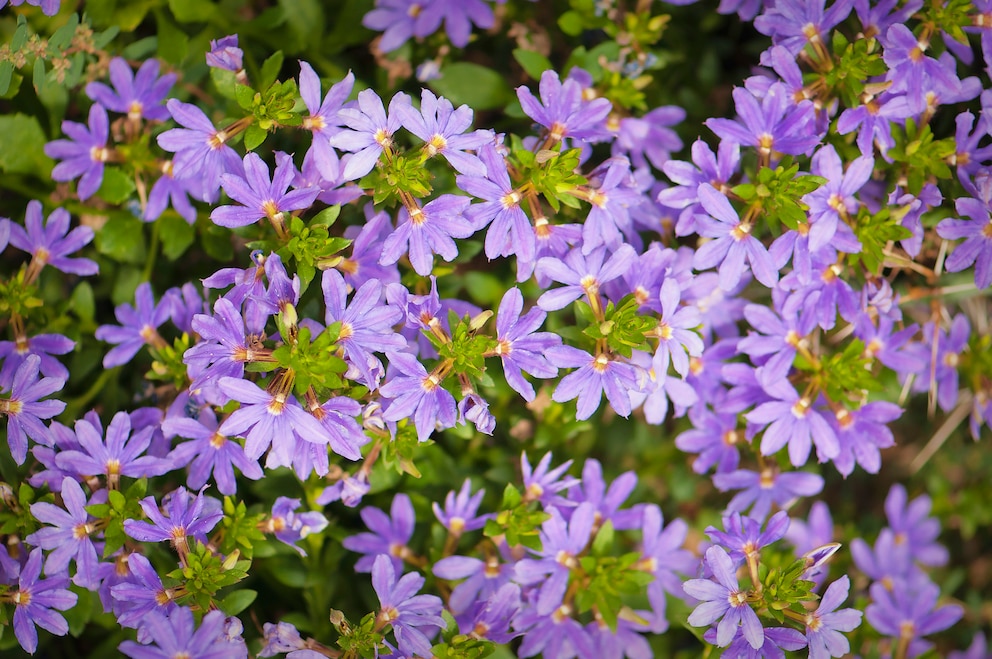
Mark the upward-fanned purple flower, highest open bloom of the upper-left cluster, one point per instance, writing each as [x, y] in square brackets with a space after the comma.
[136, 96]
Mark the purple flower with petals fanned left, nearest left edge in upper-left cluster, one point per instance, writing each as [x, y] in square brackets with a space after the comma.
[84, 154]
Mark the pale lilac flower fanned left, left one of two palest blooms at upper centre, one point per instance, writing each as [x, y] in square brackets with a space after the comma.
[370, 131]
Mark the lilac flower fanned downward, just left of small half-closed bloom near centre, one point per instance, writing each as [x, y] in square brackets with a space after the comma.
[419, 395]
